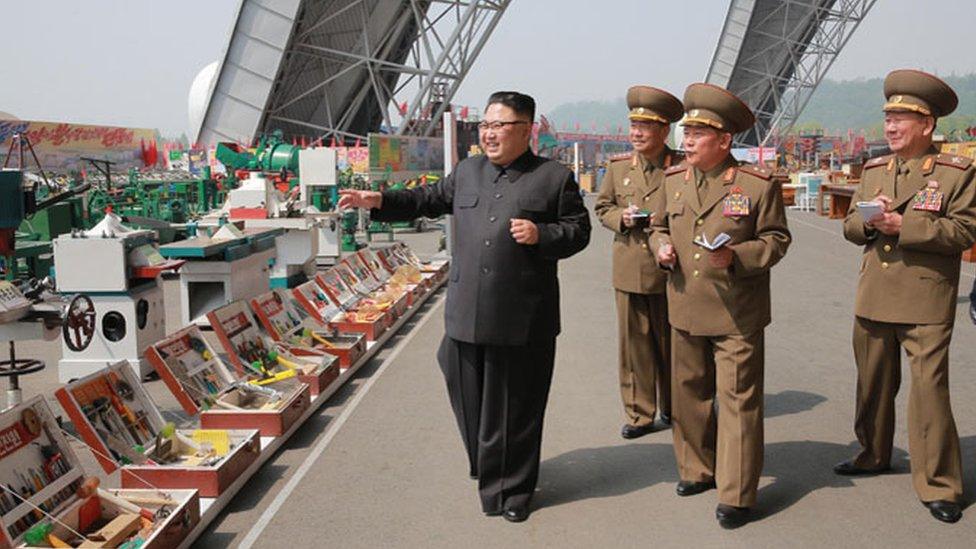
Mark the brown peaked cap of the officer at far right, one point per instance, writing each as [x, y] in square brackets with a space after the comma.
[917, 91]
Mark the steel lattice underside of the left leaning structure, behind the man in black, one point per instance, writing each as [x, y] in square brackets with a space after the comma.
[353, 65]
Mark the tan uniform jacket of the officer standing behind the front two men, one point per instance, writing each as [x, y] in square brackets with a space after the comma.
[627, 182]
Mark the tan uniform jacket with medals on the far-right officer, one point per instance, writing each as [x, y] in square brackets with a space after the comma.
[913, 277]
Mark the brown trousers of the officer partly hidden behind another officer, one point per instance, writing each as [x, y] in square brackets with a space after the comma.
[644, 350]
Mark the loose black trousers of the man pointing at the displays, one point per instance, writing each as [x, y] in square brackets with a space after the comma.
[499, 396]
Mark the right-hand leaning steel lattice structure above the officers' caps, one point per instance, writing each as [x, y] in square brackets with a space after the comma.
[774, 53]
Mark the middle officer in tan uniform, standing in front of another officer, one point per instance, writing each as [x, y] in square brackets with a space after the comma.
[718, 301]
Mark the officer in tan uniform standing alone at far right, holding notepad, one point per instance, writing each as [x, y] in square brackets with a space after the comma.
[906, 293]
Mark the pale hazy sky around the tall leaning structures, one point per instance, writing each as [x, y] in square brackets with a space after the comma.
[131, 62]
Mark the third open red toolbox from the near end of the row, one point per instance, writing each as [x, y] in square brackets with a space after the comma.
[203, 384]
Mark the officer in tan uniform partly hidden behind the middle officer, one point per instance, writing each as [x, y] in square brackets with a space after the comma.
[630, 195]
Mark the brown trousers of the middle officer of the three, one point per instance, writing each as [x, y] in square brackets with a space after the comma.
[727, 371]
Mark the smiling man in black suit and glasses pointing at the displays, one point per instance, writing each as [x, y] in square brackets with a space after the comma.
[516, 215]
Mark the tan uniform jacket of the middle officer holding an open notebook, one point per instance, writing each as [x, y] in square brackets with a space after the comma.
[703, 300]
